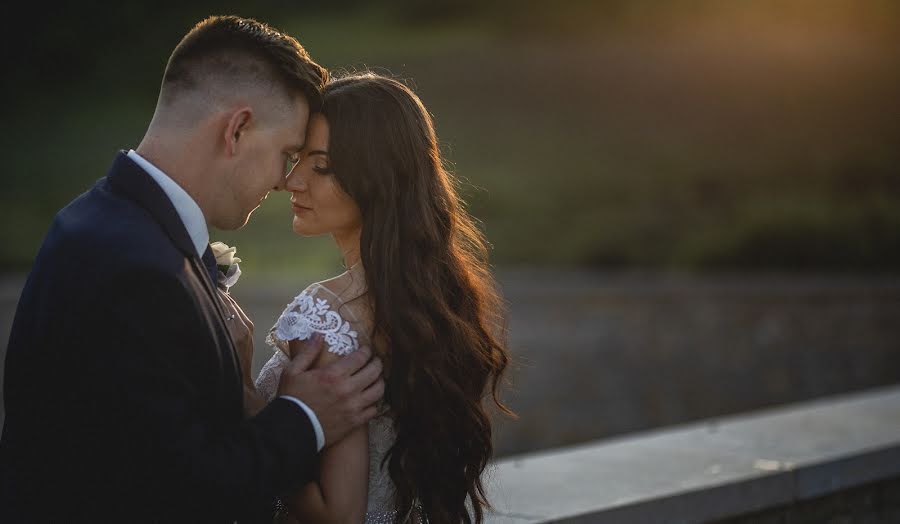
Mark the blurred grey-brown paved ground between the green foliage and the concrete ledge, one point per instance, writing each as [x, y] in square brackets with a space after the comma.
[601, 354]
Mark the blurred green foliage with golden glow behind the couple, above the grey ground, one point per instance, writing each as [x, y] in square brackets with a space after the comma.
[682, 134]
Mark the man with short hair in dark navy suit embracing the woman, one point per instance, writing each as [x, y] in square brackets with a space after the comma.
[123, 387]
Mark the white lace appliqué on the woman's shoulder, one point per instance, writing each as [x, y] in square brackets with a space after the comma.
[308, 314]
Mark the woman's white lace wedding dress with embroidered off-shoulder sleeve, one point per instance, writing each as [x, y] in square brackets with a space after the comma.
[337, 309]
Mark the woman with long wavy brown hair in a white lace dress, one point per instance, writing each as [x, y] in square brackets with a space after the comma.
[417, 289]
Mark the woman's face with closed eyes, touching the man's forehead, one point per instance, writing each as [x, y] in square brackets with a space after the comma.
[320, 205]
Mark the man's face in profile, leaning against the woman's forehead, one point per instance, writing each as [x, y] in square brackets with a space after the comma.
[260, 166]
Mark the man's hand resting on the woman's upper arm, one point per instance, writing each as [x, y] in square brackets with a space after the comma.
[342, 394]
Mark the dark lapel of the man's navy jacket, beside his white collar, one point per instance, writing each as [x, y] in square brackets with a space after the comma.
[130, 180]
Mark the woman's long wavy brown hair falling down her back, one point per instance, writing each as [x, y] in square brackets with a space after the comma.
[438, 319]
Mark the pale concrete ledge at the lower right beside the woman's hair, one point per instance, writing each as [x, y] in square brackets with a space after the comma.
[711, 470]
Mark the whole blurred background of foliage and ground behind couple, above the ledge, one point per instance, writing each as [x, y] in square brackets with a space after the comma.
[694, 205]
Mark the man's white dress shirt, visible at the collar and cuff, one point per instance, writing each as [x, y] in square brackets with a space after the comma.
[195, 223]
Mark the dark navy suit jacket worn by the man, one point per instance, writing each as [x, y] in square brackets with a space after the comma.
[122, 389]
